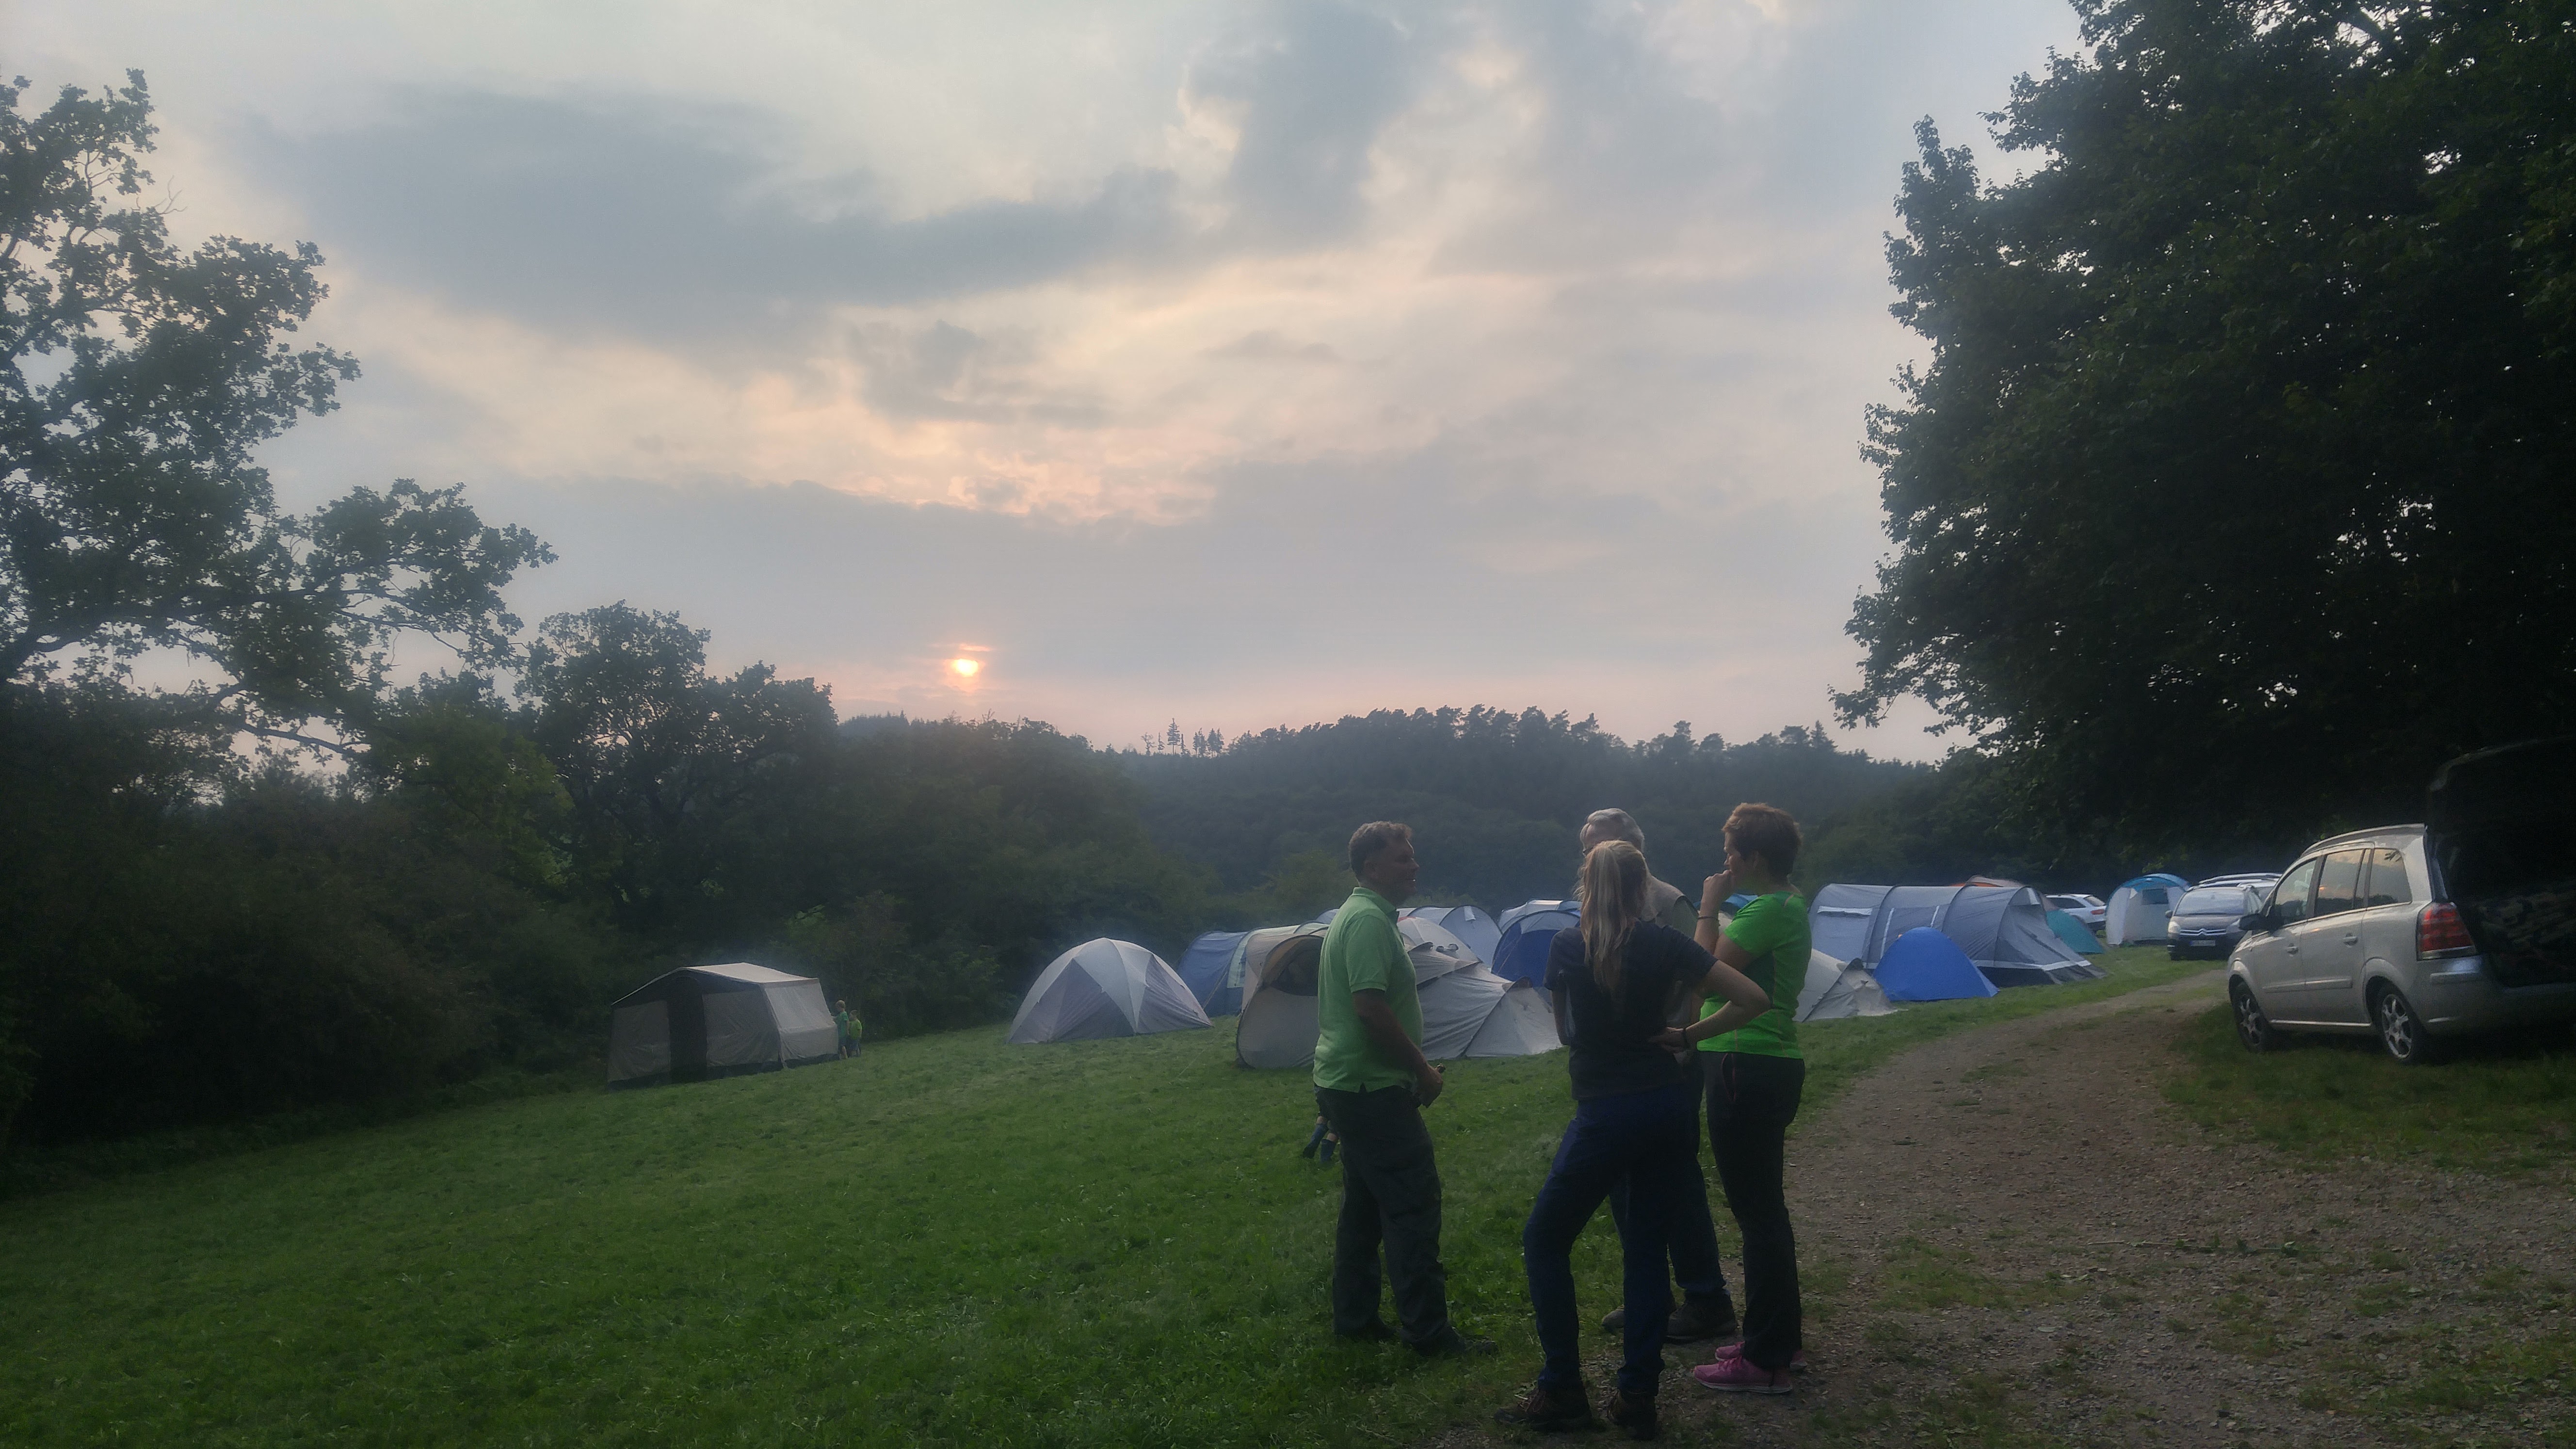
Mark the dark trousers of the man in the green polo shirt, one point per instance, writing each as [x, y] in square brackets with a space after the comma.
[1390, 1198]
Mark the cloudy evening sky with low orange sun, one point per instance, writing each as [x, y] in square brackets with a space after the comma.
[1209, 365]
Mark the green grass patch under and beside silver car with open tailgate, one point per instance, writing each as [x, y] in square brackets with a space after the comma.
[2500, 1107]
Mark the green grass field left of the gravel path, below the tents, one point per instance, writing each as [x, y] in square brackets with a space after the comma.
[949, 1241]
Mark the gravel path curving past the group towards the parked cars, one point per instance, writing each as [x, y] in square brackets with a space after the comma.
[2011, 1239]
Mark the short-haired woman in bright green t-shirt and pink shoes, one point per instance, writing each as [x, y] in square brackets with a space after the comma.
[1756, 1079]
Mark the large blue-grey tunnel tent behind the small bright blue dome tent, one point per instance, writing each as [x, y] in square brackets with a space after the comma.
[2003, 929]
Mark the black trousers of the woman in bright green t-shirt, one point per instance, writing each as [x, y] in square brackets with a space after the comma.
[1750, 1107]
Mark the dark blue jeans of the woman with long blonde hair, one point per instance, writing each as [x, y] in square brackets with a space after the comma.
[1642, 1138]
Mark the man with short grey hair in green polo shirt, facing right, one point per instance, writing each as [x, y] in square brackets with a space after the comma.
[1372, 1084]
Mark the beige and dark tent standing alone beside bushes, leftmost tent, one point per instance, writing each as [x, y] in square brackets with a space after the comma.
[717, 1022]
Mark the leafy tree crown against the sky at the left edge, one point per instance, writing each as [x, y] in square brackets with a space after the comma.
[135, 385]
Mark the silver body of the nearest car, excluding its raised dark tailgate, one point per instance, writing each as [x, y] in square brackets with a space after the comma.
[2363, 937]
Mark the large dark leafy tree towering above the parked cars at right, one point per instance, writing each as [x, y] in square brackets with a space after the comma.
[2237, 486]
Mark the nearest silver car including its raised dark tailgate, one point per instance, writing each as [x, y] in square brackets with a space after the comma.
[2425, 935]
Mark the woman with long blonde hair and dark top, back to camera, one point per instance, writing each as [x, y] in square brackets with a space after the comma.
[1616, 981]
